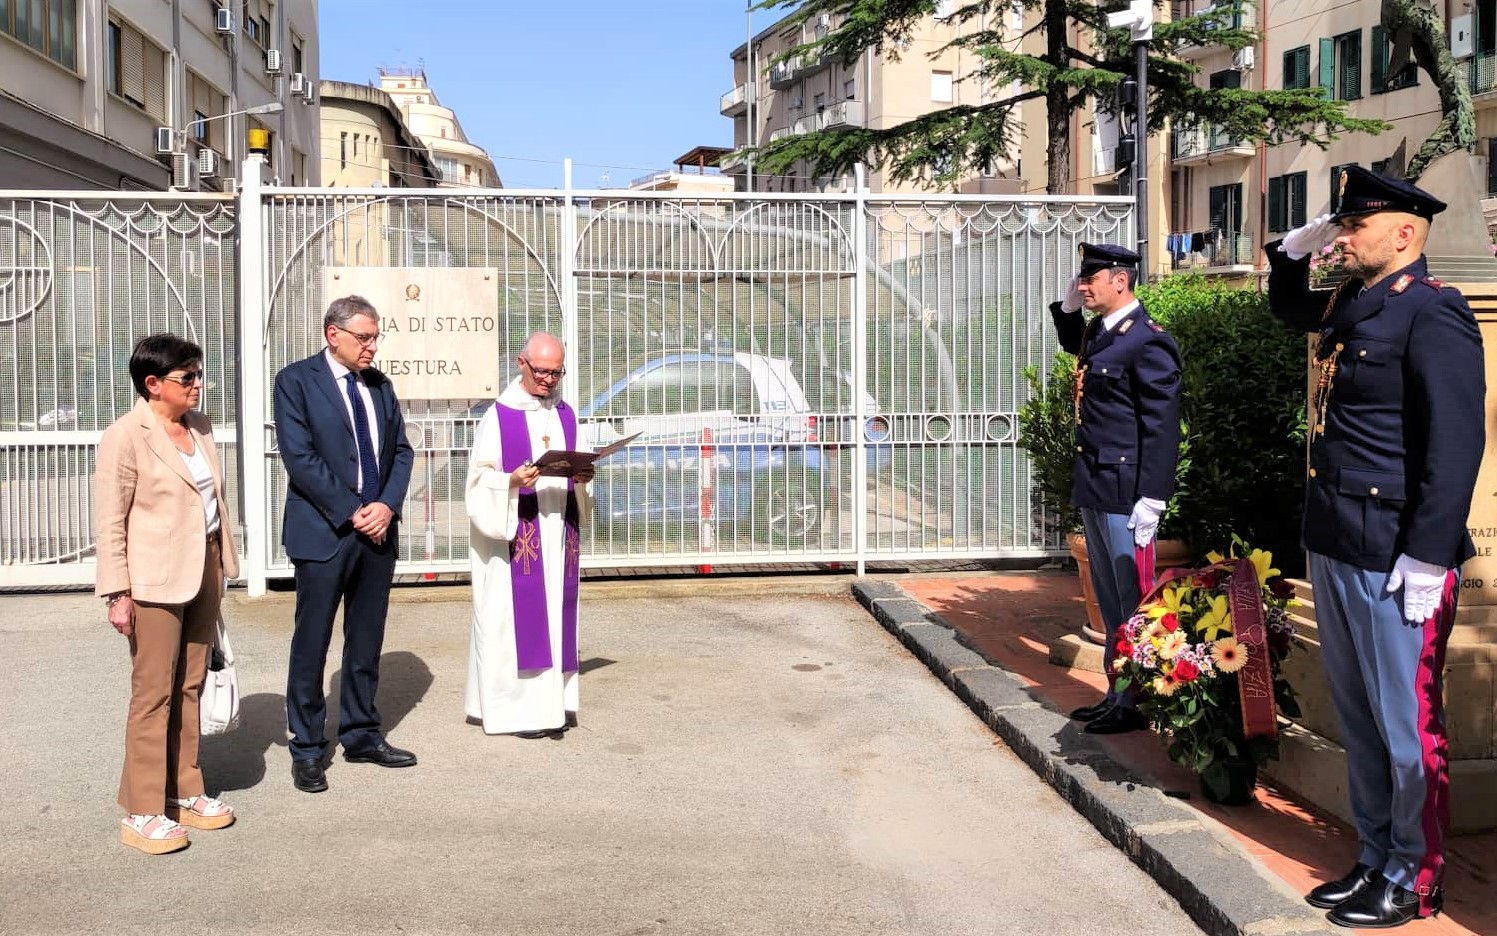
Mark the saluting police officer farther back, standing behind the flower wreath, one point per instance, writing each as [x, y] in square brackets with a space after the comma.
[1128, 444]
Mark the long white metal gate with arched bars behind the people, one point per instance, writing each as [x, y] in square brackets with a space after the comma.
[814, 378]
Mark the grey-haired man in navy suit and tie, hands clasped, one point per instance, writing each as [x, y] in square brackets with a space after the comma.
[344, 443]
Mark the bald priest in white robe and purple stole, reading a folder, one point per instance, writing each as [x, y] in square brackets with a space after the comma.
[523, 666]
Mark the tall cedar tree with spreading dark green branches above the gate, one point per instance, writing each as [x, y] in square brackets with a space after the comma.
[957, 142]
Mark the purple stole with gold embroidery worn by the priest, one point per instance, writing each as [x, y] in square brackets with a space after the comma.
[528, 576]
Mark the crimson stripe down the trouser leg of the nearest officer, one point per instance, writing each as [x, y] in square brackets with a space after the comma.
[1436, 815]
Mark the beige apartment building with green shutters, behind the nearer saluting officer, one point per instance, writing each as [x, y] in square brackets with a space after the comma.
[1230, 197]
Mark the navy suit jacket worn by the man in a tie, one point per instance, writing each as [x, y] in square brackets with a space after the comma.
[315, 440]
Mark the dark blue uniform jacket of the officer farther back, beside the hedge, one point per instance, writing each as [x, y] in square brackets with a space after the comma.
[1128, 426]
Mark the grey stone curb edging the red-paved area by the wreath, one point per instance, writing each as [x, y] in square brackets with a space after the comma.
[1218, 883]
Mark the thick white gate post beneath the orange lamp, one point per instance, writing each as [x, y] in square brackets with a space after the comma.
[254, 378]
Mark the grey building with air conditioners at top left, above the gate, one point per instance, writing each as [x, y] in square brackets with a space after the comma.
[147, 94]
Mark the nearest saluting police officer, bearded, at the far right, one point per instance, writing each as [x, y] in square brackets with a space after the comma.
[1397, 435]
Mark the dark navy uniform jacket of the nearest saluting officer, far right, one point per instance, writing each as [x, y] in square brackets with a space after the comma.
[1393, 467]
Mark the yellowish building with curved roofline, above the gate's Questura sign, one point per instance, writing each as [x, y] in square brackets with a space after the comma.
[368, 143]
